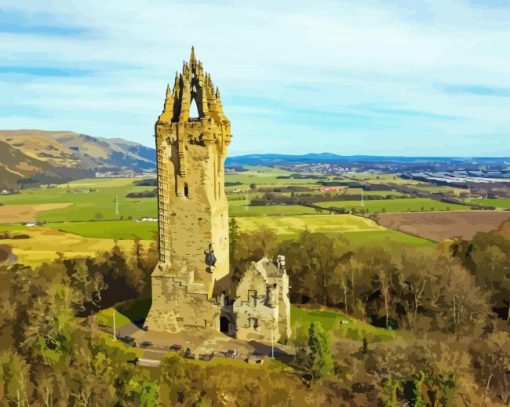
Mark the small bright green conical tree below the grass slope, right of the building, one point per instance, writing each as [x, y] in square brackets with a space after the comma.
[320, 358]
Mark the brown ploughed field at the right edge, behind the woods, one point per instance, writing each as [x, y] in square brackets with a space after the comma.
[440, 226]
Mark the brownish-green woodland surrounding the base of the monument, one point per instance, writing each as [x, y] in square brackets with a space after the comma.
[449, 309]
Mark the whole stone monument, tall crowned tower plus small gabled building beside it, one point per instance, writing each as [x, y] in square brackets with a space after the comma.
[191, 285]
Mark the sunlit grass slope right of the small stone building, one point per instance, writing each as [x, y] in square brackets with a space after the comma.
[330, 321]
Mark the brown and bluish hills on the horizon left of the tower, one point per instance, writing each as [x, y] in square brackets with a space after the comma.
[60, 156]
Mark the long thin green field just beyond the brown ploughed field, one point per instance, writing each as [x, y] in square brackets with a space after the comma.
[394, 205]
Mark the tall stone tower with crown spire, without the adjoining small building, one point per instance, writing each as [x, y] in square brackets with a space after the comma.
[192, 135]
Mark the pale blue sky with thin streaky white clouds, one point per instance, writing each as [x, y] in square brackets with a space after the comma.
[410, 78]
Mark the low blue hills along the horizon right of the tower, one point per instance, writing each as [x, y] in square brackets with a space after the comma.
[314, 158]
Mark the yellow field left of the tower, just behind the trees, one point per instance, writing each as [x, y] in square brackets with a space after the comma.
[44, 244]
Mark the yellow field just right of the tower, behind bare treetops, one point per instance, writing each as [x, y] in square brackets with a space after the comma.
[291, 225]
